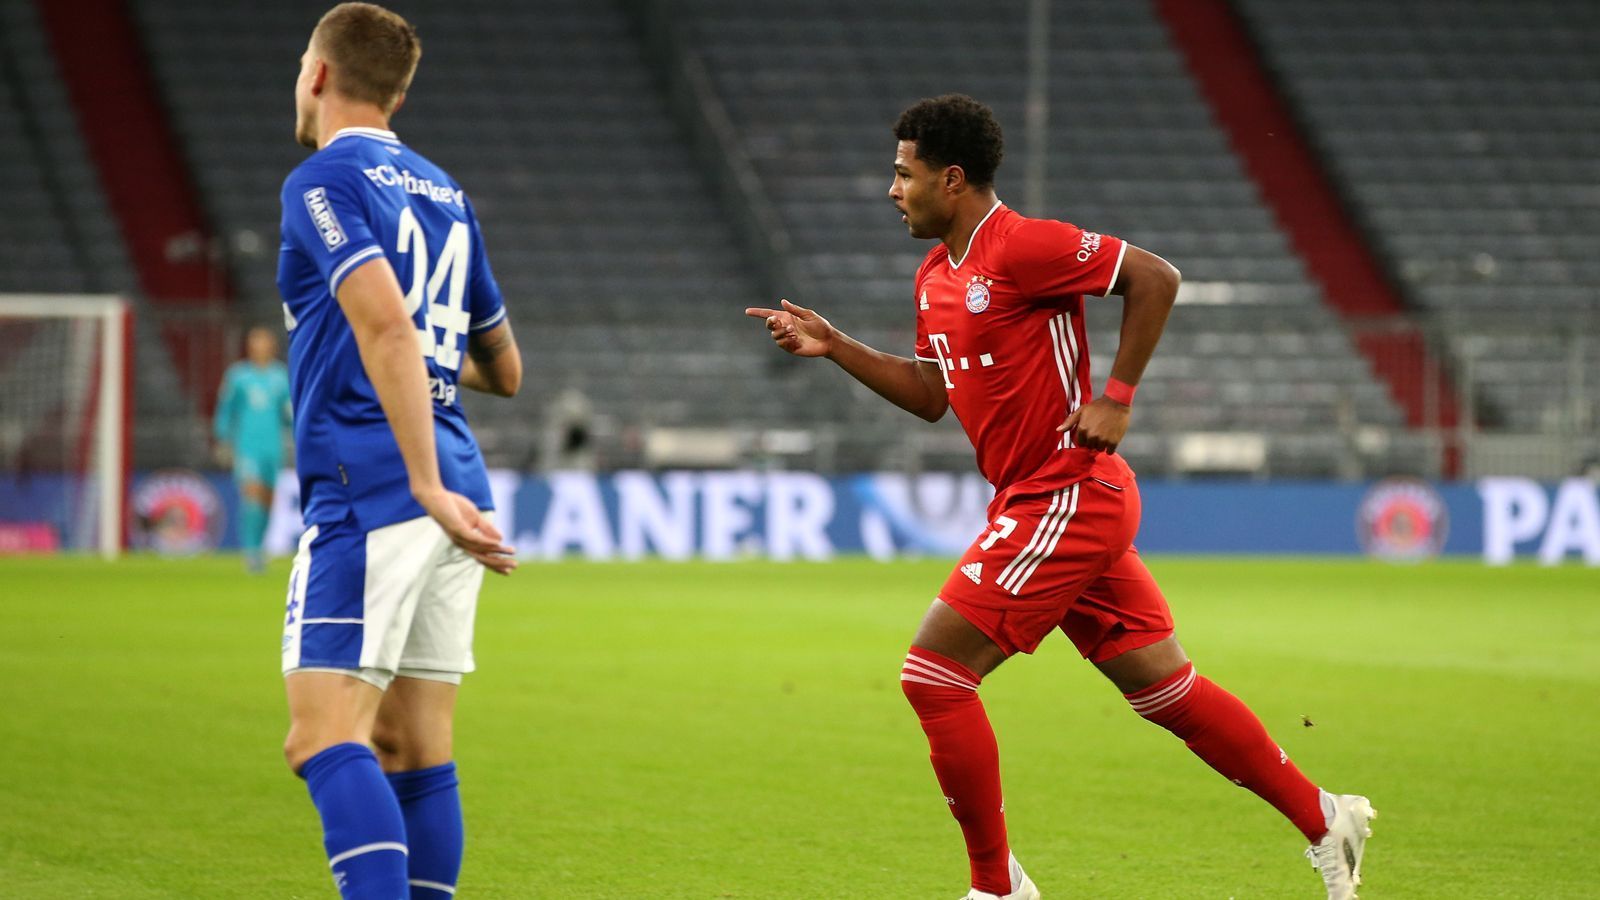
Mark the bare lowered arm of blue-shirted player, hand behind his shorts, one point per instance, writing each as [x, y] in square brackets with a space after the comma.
[386, 339]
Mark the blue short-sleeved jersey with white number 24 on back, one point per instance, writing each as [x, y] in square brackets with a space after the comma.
[364, 196]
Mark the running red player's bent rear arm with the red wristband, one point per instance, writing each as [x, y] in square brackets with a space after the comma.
[1150, 287]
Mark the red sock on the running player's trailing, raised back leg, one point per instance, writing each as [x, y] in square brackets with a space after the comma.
[1222, 731]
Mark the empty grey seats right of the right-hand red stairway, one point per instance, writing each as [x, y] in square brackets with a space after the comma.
[1468, 135]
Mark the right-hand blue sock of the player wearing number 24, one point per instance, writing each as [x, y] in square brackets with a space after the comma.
[433, 821]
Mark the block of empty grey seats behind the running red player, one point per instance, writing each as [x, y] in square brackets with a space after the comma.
[815, 86]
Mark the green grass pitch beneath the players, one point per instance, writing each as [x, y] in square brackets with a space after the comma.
[738, 731]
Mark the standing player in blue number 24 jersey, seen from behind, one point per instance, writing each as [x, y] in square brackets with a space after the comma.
[391, 308]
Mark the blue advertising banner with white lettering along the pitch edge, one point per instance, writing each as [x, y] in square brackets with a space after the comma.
[732, 515]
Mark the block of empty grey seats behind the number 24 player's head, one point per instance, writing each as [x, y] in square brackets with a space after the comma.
[602, 233]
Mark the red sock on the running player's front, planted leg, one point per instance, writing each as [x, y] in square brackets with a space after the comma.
[966, 760]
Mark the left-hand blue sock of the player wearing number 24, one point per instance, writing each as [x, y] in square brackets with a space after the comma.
[361, 822]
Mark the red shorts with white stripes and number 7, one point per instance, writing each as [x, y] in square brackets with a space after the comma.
[1065, 560]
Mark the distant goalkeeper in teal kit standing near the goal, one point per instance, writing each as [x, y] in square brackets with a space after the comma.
[252, 416]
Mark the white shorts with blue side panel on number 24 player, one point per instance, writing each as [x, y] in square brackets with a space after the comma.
[375, 605]
